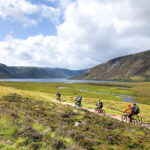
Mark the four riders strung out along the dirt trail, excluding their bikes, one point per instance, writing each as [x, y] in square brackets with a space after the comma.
[130, 110]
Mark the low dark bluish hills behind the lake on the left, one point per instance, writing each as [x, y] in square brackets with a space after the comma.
[37, 72]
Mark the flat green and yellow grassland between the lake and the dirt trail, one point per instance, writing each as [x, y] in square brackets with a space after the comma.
[112, 103]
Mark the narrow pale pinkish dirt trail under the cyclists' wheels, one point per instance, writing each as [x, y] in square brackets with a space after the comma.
[147, 125]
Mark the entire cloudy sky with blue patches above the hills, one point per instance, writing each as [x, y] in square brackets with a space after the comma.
[73, 34]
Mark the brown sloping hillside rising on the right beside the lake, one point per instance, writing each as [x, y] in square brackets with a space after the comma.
[134, 67]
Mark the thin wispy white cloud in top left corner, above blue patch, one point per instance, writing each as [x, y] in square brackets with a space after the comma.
[22, 11]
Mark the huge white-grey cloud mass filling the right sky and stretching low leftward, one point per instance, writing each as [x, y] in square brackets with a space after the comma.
[93, 32]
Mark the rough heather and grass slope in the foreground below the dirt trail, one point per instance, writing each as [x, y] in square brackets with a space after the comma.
[34, 124]
